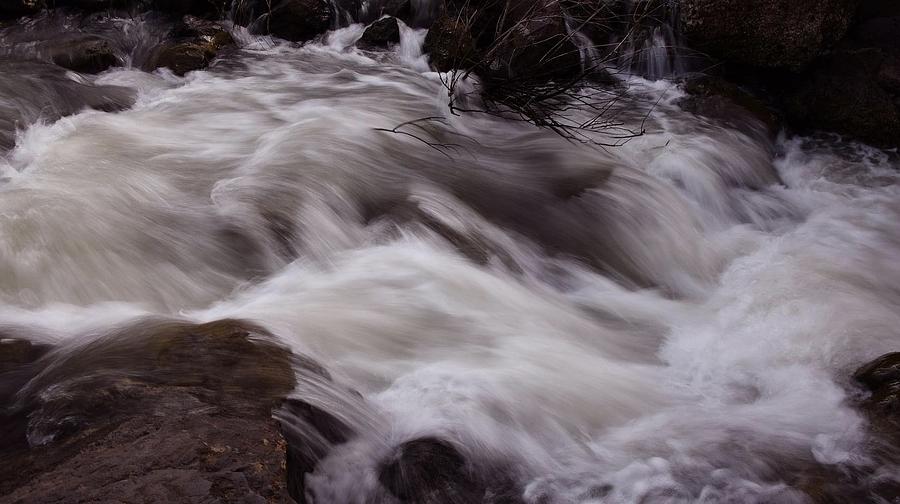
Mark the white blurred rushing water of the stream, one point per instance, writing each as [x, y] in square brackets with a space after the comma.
[673, 320]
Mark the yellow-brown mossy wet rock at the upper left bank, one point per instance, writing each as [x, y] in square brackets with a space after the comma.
[195, 45]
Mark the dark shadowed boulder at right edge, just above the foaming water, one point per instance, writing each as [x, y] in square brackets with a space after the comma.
[841, 93]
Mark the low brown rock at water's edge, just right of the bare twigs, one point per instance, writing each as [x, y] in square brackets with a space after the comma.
[728, 104]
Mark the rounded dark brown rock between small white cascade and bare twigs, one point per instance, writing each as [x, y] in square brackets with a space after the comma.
[450, 45]
